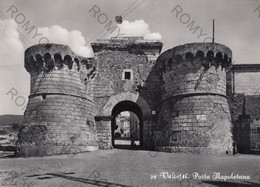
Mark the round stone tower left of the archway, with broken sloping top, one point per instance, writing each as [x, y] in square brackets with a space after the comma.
[59, 117]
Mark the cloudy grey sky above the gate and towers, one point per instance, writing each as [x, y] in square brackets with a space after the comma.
[77, 23]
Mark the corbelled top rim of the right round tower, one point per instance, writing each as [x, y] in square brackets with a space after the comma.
[205, 54]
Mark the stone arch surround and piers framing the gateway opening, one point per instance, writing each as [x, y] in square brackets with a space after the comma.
[116, 104]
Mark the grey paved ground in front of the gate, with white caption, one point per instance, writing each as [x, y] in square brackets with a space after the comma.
[128, 168]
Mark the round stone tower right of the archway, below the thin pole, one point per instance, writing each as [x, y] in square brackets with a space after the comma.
[194, 114]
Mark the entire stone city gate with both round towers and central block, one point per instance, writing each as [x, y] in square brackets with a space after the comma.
[178, 96]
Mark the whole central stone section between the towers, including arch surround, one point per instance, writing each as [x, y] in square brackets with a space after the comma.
[116, 56]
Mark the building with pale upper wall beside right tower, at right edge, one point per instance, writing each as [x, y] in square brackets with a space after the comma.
[244, 101]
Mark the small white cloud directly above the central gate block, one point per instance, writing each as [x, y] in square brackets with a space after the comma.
[137, 28]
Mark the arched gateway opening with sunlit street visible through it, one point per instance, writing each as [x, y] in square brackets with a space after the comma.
[127, 130]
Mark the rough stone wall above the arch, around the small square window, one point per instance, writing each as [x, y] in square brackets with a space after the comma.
[115, 56]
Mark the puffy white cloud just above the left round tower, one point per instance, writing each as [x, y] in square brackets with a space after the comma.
[74, 39]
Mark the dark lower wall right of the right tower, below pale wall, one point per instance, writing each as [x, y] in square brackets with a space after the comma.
[245, 113]
